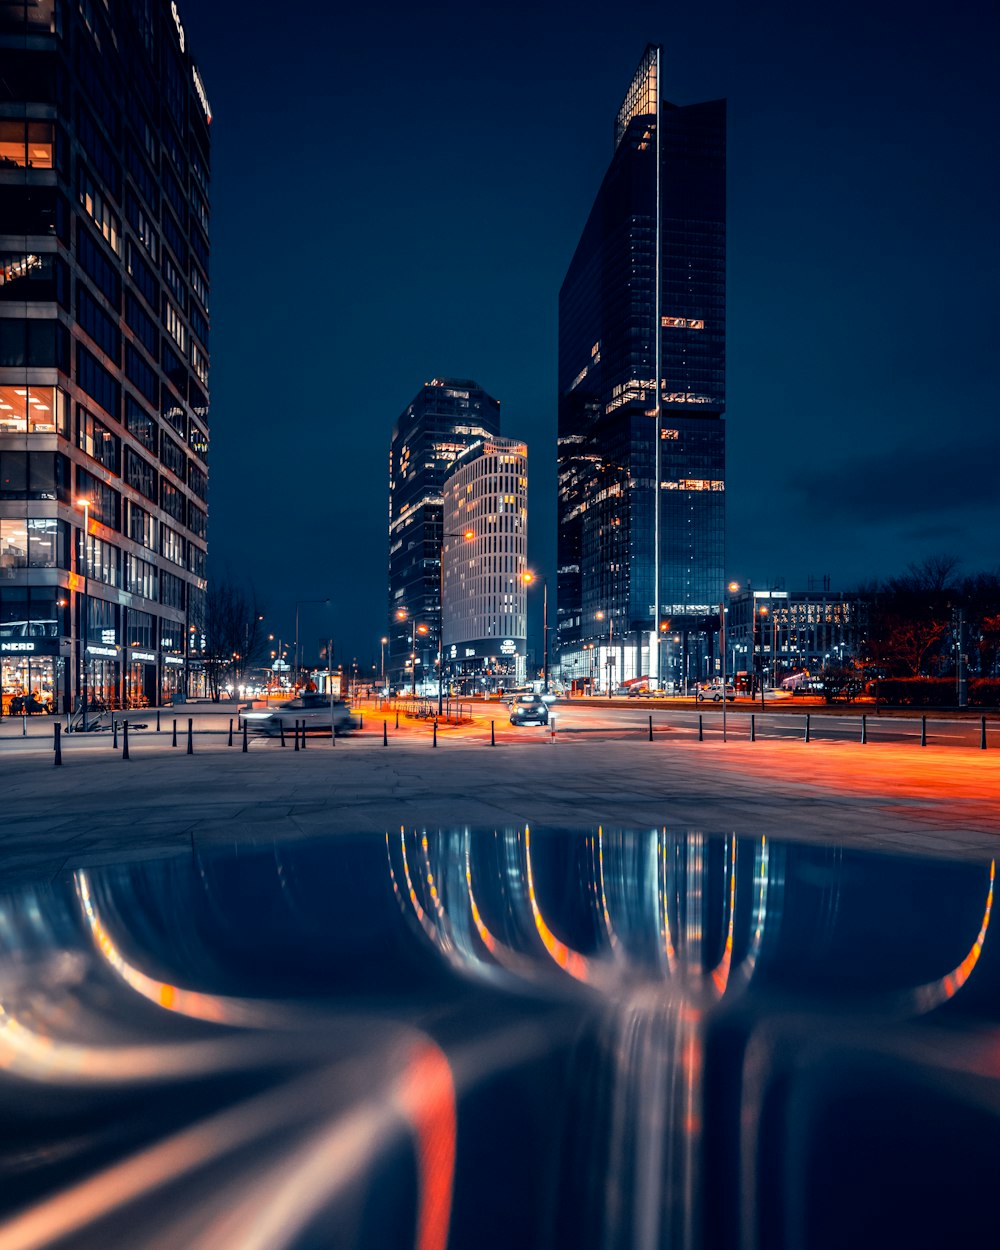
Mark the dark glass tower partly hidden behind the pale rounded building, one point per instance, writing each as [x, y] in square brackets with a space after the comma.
[446, 418]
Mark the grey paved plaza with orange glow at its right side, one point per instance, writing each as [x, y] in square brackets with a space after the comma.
[99, 808]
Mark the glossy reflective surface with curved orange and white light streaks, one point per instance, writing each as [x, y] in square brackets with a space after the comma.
[608, 1039]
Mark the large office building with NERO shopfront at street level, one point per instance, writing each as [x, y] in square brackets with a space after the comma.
[104, 353]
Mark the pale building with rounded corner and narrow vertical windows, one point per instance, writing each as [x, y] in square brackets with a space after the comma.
[484, 563]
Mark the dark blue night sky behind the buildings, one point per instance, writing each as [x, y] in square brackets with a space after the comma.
[398, 192]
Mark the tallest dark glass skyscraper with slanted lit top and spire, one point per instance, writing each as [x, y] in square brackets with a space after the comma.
[642, 469]
